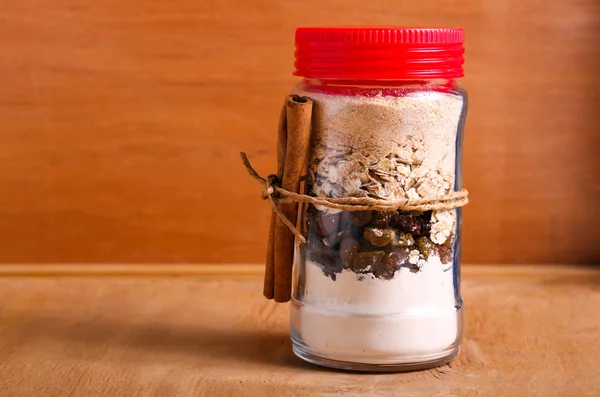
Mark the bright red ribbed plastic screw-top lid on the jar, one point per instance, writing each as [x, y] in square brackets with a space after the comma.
[379, 53]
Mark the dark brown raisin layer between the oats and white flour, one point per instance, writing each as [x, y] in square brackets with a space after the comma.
[381, 246]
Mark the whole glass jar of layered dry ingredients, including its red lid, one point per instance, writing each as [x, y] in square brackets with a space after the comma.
[379, 290]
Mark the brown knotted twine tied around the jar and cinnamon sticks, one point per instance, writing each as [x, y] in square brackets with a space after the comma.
[275, 194]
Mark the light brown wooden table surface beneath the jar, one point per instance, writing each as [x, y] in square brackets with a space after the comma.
[529, 332]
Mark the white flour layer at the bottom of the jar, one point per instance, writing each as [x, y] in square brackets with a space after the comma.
[410, 316]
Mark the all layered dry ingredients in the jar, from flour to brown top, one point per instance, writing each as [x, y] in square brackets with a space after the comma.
[378, 286]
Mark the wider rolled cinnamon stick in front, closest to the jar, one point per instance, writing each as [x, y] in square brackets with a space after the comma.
[298, 121]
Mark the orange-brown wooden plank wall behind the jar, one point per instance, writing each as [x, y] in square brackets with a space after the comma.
[121, 122]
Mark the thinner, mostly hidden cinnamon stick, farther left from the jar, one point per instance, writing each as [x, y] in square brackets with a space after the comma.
[269, 282]
